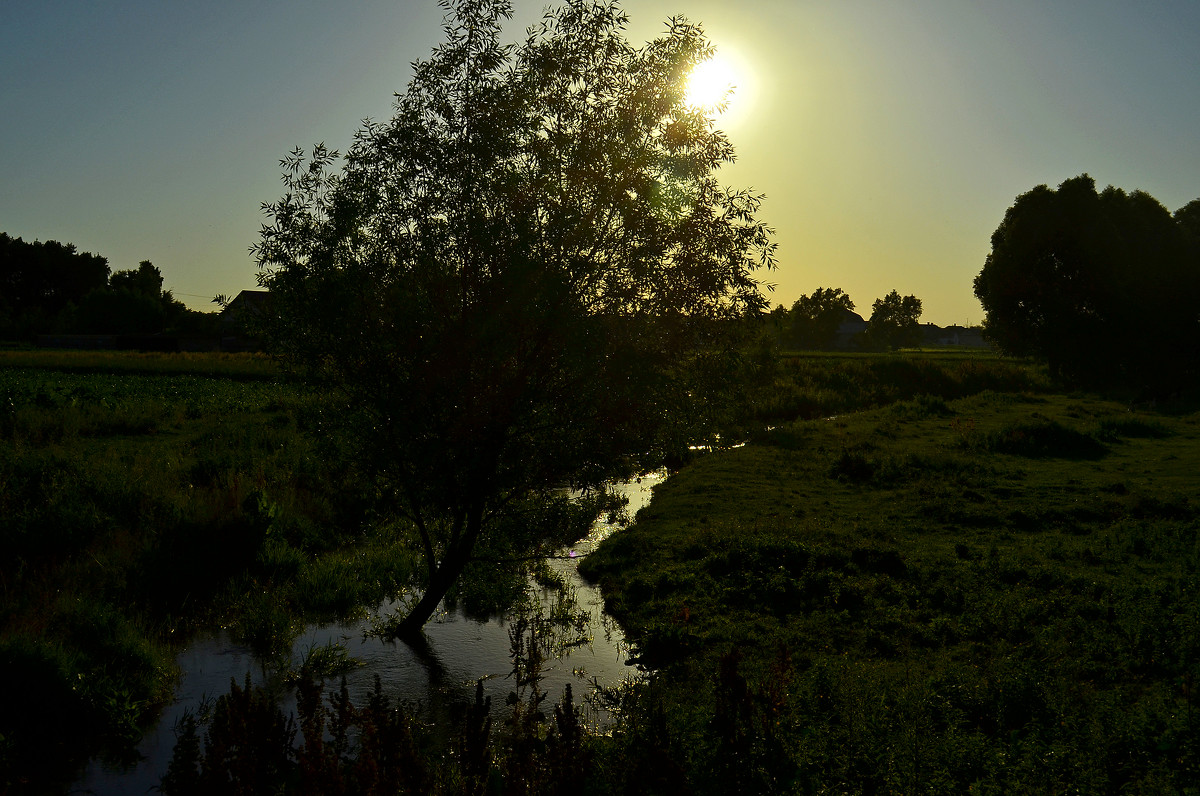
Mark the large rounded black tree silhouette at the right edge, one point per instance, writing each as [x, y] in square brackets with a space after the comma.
[1103, 286]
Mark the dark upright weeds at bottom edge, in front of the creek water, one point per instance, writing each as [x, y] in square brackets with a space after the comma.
[381, 747]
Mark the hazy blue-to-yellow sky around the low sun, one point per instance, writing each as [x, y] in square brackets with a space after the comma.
[889, 136]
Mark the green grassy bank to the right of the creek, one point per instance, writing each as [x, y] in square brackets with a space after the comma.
[986, 591]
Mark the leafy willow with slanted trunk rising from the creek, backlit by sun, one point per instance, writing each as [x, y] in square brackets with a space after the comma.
[508, 278]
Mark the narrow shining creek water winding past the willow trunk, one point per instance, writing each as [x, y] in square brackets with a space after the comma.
[460, 653]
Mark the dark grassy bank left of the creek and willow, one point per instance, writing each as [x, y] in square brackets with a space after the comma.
[145, 498]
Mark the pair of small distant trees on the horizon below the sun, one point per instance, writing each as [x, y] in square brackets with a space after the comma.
[826, 321]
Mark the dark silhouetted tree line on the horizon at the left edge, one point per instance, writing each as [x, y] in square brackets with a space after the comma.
[55, 289]
